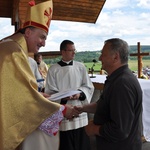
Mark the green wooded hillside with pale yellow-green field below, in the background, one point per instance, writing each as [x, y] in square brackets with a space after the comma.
[87, 58]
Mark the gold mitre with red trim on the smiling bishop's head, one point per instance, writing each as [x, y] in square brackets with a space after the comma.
[39, 15]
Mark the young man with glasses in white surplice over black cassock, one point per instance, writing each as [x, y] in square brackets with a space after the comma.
[68, 74]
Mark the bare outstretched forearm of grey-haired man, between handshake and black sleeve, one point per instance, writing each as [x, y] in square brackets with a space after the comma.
[90, 108]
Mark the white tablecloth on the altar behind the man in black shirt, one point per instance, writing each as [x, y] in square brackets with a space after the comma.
[145, 85]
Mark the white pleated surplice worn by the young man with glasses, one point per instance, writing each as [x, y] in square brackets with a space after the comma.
[71, 77]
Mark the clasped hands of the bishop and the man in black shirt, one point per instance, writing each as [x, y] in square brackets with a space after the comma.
[73, 111]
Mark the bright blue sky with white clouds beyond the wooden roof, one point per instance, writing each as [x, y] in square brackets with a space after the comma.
[125, 19]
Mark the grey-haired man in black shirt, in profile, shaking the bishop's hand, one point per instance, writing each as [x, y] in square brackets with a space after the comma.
[116, 122]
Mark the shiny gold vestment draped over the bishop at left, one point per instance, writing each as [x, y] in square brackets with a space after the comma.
[22, 107]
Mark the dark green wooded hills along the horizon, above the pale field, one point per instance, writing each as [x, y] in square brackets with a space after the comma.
[89, 56]
